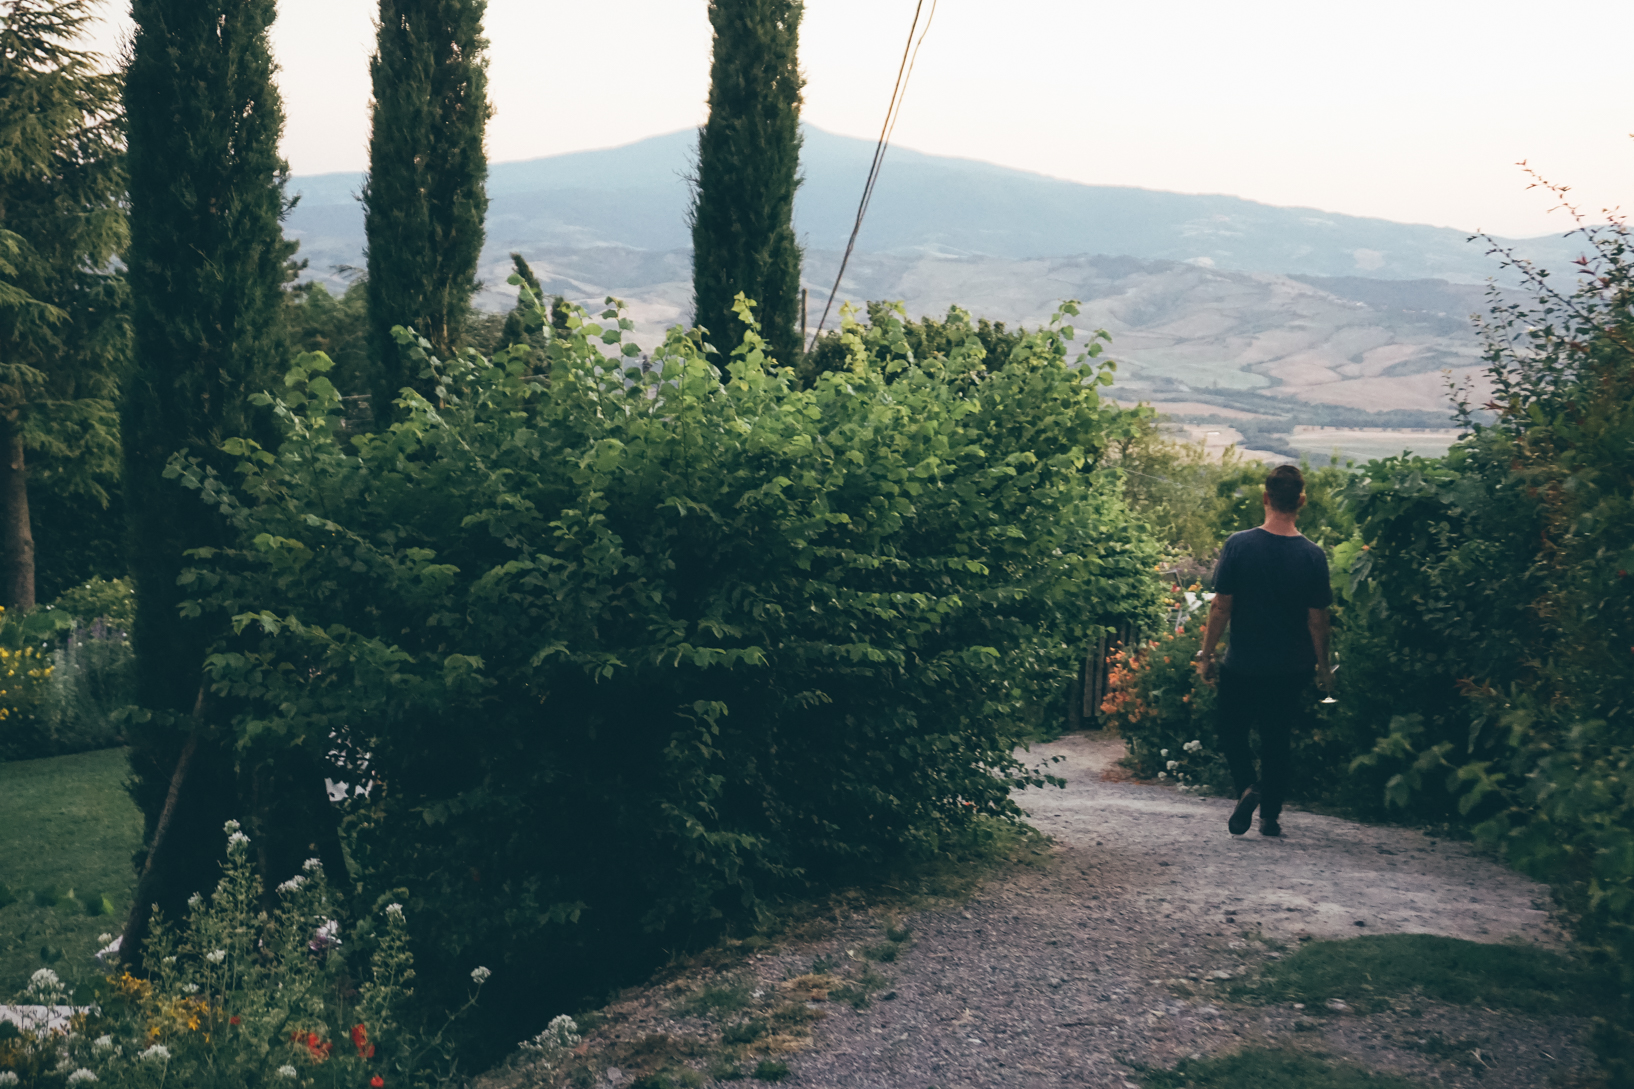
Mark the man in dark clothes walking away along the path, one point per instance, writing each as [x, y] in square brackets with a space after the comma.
[1272, 589]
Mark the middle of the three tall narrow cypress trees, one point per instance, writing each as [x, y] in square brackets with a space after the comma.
[426, 195]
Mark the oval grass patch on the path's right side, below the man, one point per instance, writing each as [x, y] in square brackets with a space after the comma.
[1368, 972]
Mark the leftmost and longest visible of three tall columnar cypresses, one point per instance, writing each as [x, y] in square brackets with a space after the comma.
[207, 267]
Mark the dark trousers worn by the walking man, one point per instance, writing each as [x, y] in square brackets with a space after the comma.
[1275, 704]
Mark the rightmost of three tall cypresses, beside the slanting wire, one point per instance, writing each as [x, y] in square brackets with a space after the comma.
[749, 151]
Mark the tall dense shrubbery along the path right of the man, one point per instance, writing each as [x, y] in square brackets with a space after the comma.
[1493, 601]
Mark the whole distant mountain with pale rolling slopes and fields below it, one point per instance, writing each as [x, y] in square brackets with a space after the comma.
[1203, 295]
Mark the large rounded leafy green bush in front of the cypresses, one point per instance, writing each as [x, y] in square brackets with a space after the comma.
[654, 599]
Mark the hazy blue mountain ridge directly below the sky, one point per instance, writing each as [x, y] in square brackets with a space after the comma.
[636, 197]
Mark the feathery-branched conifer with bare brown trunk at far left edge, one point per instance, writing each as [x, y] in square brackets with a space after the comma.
[63, 331]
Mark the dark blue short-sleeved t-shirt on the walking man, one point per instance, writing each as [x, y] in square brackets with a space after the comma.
[1274, 583]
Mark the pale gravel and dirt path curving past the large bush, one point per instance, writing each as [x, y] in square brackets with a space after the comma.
[1074, 974]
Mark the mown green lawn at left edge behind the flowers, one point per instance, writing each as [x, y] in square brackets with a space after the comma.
[65, 854]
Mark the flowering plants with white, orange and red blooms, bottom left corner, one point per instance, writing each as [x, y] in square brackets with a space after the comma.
[249, 997]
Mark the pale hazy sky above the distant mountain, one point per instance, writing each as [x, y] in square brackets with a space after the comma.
[1413, 110]
